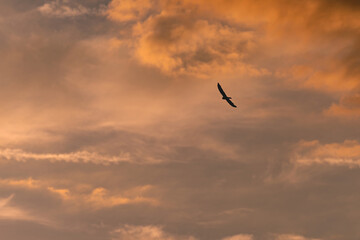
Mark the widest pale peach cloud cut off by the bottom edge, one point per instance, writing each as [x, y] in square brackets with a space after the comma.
[150, 232]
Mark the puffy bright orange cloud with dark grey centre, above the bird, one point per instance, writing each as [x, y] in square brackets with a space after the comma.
[178, 44]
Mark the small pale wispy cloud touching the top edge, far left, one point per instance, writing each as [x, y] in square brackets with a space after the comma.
[65, 9]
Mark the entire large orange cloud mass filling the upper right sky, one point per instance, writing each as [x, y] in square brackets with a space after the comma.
[205, 38]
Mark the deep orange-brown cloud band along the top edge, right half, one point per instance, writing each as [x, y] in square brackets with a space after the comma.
[281, 16]
